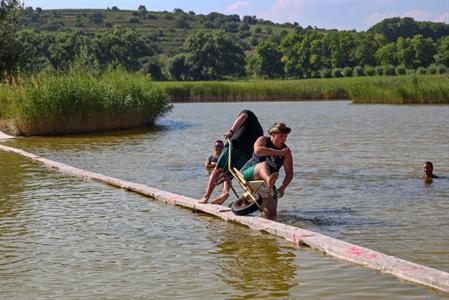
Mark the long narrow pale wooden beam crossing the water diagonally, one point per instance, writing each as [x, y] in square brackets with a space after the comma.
[400, 268]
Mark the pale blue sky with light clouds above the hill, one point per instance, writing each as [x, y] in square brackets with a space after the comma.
[330, 14]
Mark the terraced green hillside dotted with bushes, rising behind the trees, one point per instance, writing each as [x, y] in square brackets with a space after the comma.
[168, 29]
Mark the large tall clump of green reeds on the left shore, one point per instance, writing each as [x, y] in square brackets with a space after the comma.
[81, 101]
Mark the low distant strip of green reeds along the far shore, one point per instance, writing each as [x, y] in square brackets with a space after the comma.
[382, 89]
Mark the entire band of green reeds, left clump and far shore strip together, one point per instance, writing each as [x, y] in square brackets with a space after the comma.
[80, 101]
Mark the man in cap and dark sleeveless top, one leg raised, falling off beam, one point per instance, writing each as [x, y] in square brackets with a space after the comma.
[270, 154]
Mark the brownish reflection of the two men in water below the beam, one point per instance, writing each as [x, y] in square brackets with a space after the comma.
[255, 264]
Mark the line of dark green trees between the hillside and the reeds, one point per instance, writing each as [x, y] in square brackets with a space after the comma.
[218, 51]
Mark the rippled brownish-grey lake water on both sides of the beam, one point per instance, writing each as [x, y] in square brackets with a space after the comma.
[357, 178]
